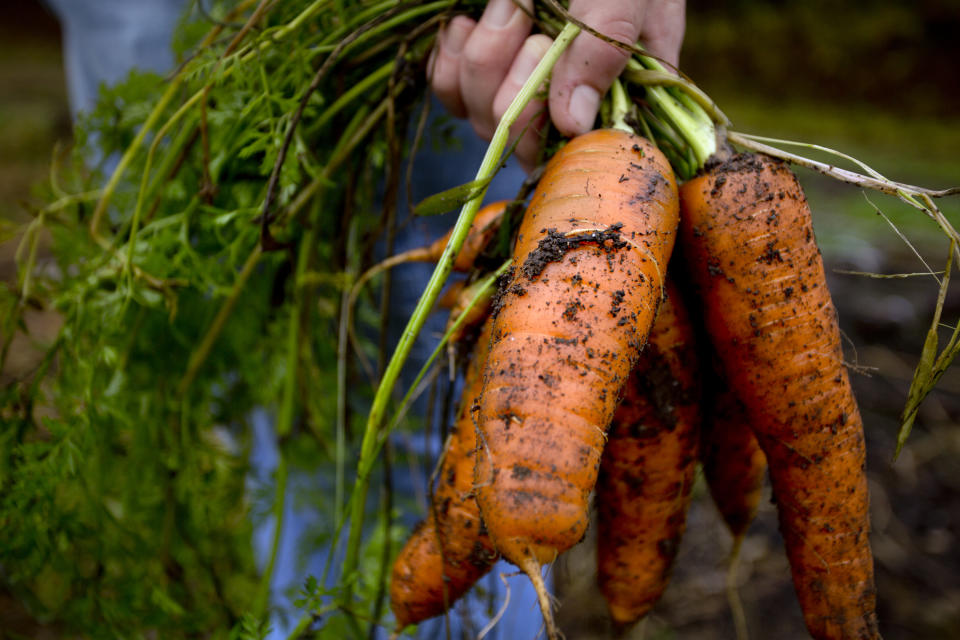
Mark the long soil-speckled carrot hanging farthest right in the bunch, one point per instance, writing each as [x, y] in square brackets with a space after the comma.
[750, 249]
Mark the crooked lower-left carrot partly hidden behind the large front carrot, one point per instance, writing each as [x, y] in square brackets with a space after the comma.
[448, 552]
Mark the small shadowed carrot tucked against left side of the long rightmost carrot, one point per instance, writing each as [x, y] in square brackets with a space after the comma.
[733, 462]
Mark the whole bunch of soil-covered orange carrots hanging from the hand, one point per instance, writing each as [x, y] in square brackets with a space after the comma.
[641, 328]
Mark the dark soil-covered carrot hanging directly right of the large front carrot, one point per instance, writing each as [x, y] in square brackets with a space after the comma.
[647, 469]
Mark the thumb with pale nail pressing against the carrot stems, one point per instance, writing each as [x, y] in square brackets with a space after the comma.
[588, 67]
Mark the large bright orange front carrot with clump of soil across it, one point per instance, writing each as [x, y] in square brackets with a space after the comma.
[588, 269]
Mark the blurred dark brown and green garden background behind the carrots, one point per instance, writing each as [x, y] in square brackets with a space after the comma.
[875, 79]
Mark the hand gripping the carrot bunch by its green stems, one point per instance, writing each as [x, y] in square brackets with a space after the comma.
[479, 67]
